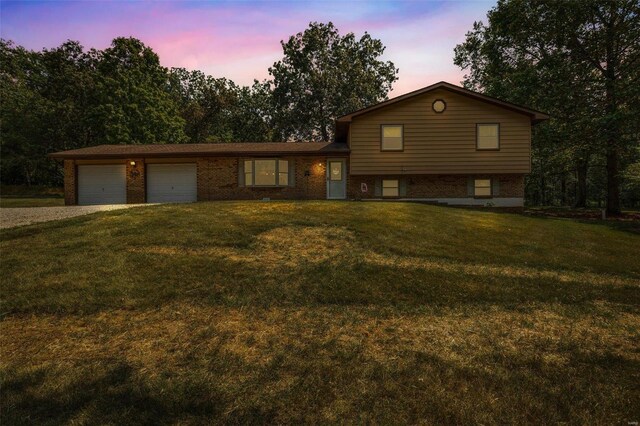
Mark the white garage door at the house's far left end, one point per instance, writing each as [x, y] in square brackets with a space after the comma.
[102, 184]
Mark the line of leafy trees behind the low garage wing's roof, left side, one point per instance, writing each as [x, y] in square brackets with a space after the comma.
[68, 97]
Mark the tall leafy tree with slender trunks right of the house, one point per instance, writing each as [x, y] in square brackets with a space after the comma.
[578, 60]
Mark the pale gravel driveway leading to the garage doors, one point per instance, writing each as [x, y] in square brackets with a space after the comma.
[11, 217]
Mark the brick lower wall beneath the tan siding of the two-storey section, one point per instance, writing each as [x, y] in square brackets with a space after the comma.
[437, 186]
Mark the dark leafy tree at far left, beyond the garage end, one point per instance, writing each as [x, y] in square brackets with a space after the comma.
[46, 96]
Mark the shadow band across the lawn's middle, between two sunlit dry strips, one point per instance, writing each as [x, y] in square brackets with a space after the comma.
[222, 282]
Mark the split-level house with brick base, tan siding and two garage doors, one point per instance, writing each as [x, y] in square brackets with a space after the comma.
[441, 143]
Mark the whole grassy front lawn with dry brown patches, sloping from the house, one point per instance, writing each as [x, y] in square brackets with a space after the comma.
[319, 312]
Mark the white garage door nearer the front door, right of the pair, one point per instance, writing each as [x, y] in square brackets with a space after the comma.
[171, 183]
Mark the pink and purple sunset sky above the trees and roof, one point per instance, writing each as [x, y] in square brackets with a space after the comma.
[240, 40]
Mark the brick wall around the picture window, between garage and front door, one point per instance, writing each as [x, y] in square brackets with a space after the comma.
[218, 180]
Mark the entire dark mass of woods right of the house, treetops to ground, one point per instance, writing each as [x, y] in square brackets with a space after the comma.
[578, 61]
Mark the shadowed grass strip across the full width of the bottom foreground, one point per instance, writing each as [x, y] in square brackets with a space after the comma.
[328, 381]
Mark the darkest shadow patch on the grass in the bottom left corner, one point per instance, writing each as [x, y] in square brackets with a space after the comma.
[113, 394]
